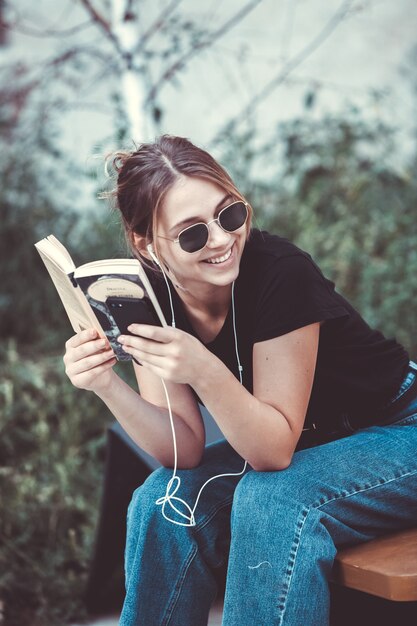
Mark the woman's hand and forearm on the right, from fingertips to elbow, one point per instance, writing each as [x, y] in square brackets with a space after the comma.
[257, 430]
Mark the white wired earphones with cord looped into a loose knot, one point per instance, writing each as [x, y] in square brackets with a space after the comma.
[175, 482]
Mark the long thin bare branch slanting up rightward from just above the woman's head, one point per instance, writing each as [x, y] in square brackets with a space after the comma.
[290, 66]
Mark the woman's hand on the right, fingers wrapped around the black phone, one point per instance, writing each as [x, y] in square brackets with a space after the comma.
[170, 353]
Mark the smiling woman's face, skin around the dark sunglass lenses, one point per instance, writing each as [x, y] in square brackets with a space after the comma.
[192, 200]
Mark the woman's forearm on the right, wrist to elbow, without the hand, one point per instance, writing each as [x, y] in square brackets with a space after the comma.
[258, 432]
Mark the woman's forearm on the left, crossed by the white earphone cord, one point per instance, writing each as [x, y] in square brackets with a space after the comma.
[149, 426]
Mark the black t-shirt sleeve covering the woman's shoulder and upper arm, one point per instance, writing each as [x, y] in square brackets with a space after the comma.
[294, 293]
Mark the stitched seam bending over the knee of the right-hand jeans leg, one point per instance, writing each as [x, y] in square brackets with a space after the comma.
[300, 526]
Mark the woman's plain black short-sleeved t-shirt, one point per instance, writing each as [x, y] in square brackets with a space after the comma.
[280, 289]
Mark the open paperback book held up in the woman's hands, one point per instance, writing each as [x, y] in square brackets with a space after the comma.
[107, 295]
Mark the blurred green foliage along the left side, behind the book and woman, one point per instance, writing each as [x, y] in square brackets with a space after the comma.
[51, 434]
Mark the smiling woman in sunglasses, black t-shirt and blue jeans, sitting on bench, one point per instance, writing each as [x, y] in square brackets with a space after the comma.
[325, 416]
